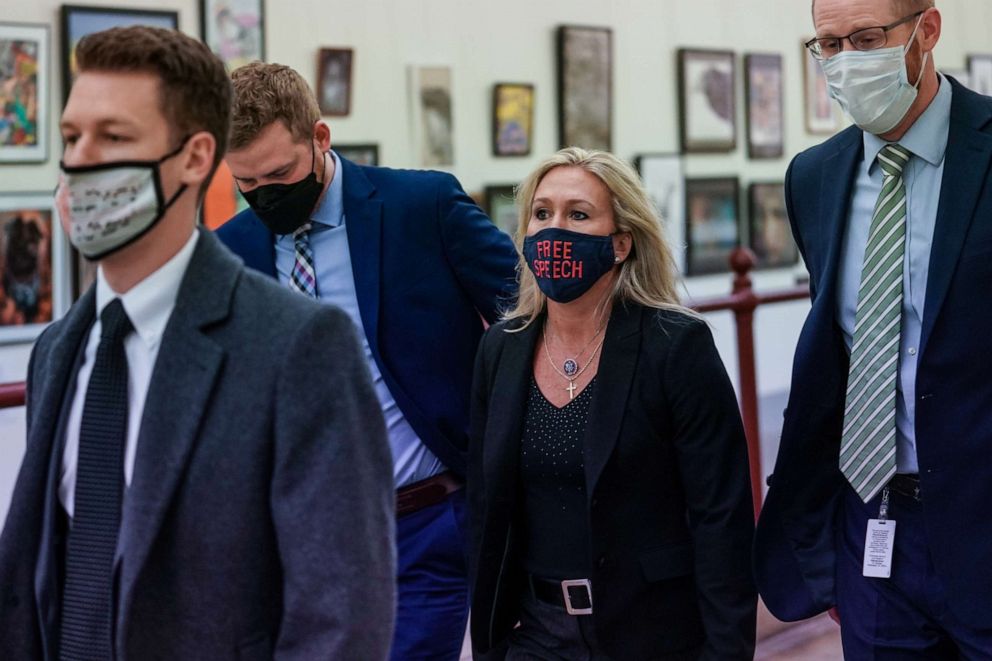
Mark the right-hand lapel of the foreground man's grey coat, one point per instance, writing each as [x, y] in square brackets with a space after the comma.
[185, 371]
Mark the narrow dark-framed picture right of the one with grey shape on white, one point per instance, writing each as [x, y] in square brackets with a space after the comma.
[765, 108]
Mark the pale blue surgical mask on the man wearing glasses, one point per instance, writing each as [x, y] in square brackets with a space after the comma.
[873, 86]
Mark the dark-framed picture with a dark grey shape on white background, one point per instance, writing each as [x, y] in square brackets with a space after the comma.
[707, 100]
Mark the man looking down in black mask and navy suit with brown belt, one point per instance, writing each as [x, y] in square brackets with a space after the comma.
[417, 266]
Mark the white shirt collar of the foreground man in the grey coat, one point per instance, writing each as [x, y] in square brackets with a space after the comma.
[149, 303]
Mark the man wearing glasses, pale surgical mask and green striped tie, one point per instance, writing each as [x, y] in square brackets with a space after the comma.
[879, 500]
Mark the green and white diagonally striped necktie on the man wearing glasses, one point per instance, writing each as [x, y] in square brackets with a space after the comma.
[868, 444]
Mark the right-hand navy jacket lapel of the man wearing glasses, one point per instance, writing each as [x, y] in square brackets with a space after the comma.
[966, 167]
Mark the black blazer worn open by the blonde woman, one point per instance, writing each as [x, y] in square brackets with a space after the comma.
[667, 483]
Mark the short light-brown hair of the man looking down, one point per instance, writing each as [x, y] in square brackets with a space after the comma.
[265, 93]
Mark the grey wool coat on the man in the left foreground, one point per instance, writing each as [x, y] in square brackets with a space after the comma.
[259, 522]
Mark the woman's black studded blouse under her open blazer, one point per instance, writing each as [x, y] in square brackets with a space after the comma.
[555, 512]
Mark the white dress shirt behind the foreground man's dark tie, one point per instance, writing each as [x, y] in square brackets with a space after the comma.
[149, 305]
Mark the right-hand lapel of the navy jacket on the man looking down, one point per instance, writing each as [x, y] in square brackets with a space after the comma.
[363, 220]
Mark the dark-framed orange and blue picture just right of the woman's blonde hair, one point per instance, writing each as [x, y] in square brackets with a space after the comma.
[711, 224]
